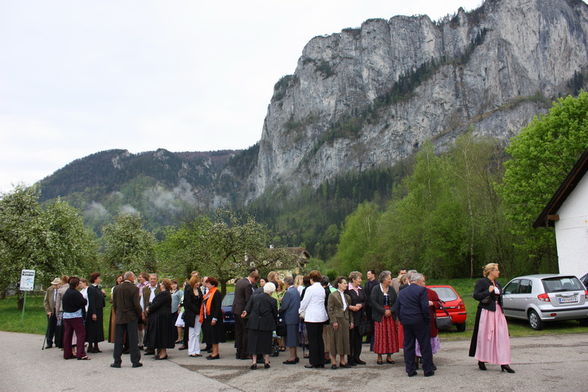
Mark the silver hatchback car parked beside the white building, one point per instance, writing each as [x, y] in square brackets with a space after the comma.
[540, 298]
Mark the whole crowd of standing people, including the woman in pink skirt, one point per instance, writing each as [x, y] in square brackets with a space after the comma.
[327, 320]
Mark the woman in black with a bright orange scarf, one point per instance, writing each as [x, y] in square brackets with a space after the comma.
[211, 317]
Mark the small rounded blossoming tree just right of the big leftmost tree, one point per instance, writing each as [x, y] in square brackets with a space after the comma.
[128, 246]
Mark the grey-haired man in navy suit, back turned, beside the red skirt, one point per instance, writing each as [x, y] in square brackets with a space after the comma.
[412, 308]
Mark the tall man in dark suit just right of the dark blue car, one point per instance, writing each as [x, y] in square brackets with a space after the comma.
[243, 290]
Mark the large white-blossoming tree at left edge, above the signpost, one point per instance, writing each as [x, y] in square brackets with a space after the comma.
[50, 239]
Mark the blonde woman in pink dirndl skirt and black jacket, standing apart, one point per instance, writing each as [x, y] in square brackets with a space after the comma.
[490, 342]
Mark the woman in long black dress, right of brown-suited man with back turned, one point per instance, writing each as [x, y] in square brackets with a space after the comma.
[160, 328]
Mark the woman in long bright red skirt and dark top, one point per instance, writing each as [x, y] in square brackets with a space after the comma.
[382, 297]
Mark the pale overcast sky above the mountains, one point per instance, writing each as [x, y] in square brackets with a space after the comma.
[77, 77]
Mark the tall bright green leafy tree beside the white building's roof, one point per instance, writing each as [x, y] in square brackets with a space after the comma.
[541, 156]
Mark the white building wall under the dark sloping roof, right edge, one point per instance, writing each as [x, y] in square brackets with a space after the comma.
[571, 231]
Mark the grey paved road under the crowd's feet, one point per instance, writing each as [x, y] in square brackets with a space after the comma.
[549, 363]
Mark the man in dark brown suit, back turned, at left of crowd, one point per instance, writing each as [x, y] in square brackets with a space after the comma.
[125, 303]
